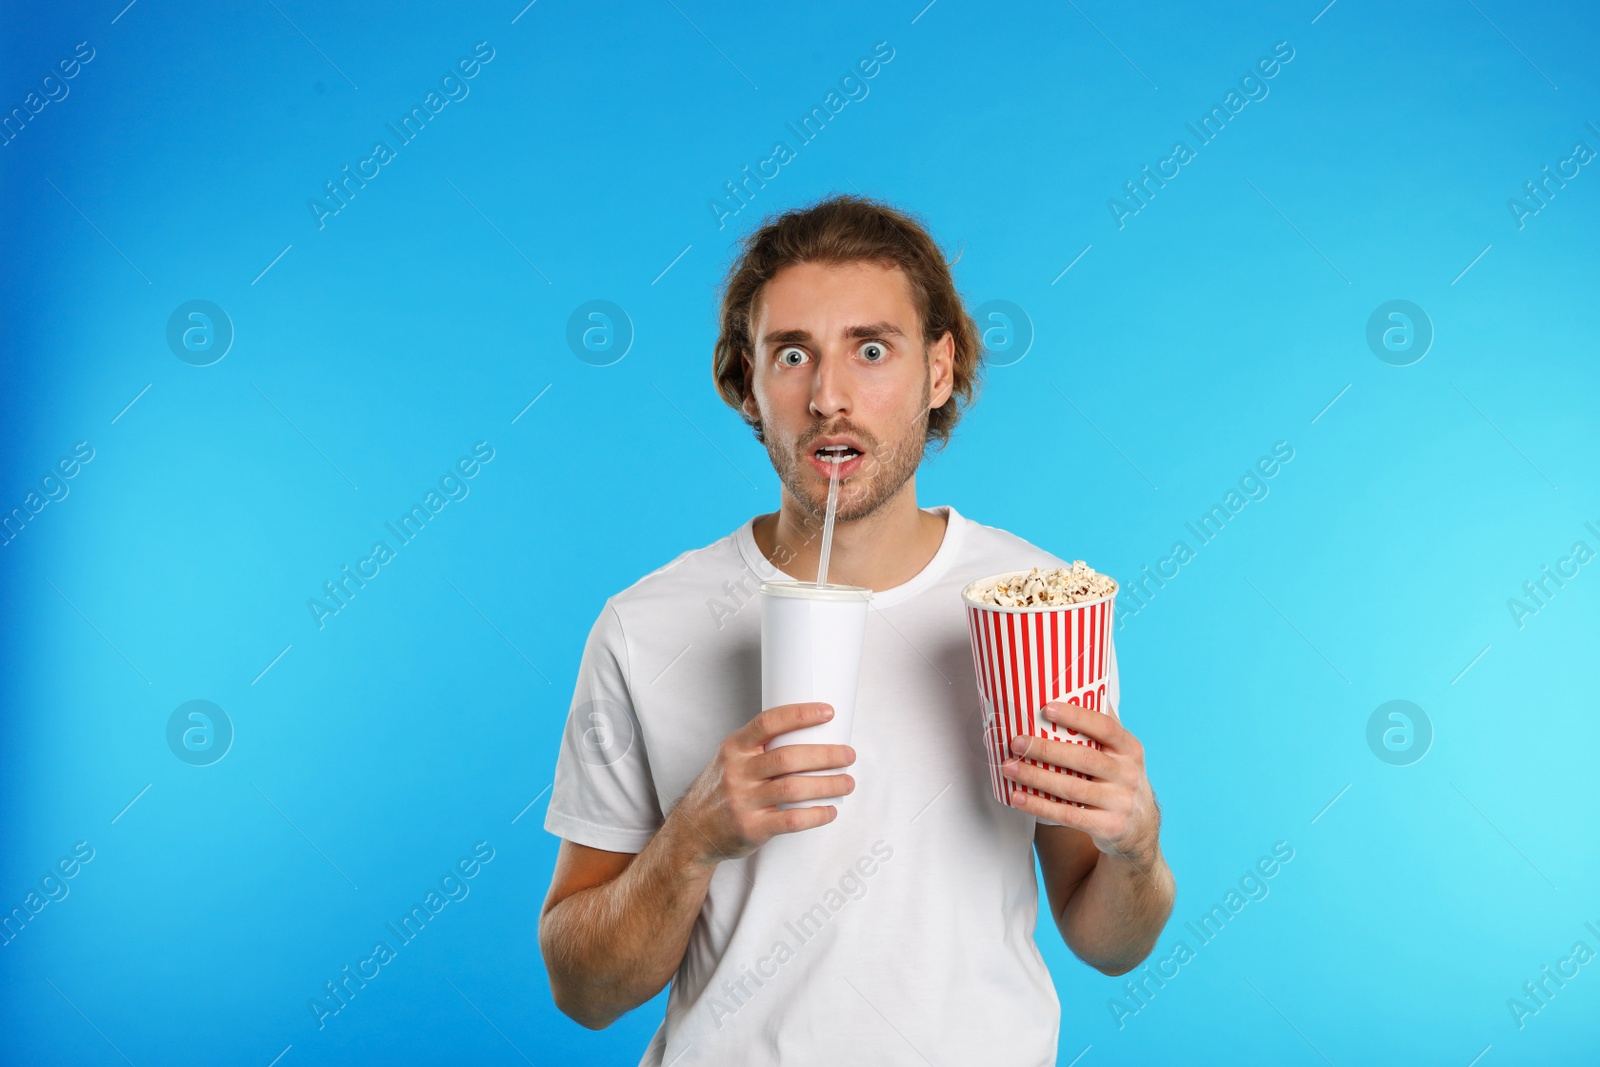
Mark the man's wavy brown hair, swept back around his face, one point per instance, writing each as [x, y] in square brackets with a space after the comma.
[838, 231]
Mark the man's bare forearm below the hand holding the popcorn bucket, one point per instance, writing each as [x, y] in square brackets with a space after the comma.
[1118, 913]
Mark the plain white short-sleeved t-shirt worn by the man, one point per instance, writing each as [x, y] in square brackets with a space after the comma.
[903, 932]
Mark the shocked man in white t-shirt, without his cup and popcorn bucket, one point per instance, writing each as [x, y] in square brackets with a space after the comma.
[897, 924]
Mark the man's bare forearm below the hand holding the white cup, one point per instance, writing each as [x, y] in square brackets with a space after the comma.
[614, 946]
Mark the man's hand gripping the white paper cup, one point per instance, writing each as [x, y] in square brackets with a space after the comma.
[732, 807]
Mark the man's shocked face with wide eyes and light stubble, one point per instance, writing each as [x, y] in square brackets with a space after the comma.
[839, 361]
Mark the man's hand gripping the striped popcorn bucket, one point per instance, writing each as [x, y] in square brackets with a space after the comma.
[1119, 812]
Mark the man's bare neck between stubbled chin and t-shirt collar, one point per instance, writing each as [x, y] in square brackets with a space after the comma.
[879, 551]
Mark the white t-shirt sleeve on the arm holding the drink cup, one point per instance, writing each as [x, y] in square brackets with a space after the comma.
[604, 794]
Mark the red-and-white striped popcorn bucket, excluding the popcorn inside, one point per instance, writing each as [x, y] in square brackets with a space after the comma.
[1026, 658]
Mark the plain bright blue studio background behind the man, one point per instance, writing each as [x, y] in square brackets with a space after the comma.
[431, 311]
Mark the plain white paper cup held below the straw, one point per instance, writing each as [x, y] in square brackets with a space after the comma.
[812, 653]
